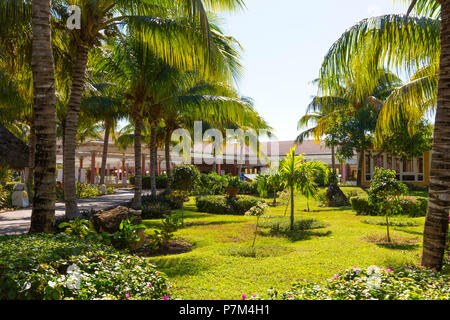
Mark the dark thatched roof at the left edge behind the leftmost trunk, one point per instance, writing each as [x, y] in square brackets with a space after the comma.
[14, 152]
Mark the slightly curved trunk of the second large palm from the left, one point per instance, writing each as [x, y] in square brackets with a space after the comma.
[70, 133]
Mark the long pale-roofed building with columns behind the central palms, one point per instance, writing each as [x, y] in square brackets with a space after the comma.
[232, 159]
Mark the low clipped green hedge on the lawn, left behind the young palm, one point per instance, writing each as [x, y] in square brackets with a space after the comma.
[225, 205]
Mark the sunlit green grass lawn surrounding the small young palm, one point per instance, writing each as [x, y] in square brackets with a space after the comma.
[215, 270]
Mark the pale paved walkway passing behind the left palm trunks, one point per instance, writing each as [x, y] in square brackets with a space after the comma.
[18, 222]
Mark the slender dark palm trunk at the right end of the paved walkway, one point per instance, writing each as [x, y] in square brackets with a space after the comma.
[137, 203]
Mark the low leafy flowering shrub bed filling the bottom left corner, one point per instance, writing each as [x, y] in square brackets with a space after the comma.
[64, 267]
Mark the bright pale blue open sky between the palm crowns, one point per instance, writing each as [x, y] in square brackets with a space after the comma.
[285, 42]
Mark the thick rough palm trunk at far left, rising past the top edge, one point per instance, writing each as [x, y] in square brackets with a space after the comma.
[44, 106]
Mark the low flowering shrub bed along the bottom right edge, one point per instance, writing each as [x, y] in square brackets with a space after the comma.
[407, 283]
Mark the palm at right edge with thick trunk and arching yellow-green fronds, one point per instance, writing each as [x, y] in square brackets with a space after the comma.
[413, 43]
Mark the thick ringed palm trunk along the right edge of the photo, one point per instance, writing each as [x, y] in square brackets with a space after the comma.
[436, 225]
